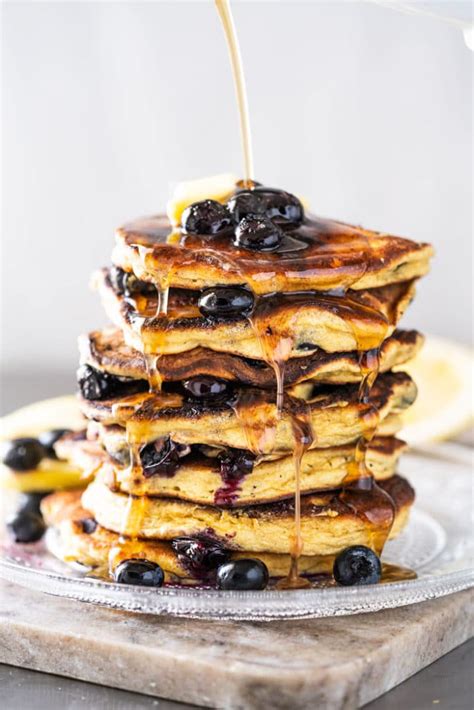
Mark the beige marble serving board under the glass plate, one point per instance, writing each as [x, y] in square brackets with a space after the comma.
[340, 662]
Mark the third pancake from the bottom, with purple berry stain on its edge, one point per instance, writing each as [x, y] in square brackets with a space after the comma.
[199, 477]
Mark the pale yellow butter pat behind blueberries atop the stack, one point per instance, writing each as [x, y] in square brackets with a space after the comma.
[216, 187]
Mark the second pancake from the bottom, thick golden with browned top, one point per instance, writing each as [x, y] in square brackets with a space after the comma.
[328, 522]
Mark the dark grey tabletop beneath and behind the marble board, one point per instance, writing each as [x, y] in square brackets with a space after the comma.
[448, 683]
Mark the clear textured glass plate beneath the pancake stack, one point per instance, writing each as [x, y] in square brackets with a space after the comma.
[437, 544]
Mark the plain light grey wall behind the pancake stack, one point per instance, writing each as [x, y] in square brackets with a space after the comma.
[365, 111]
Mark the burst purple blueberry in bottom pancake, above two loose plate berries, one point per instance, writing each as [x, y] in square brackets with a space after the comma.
[200, 556]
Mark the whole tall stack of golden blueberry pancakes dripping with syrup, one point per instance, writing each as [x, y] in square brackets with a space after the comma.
[205, 421]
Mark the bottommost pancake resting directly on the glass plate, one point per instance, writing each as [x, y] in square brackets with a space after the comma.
[101, 550]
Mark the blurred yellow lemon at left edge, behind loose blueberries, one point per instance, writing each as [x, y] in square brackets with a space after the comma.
[56, 413]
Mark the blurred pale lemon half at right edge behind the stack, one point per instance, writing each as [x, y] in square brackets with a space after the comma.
[444, 374]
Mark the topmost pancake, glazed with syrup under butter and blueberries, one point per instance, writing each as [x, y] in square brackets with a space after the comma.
[320, 255]
